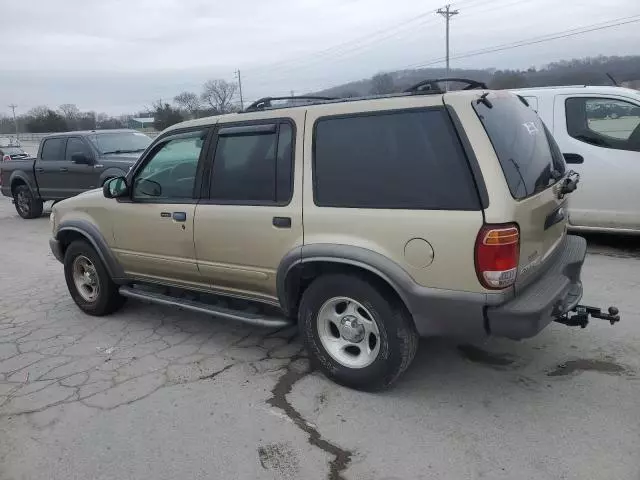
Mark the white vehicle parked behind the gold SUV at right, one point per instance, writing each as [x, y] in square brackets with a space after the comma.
[598, 130]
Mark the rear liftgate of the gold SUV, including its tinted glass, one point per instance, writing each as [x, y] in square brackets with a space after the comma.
[532, 165]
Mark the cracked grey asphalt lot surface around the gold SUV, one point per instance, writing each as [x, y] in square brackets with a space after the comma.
[158, 393]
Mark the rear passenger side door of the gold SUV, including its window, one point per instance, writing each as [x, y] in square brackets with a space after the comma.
[251, 215]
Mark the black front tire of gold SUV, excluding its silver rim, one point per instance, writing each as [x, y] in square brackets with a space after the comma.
[108, 299]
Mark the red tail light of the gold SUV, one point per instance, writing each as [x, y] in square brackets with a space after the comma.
[497, 255]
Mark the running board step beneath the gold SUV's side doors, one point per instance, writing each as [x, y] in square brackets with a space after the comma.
[201, 307]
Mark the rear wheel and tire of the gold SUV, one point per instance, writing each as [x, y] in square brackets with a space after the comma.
[356, 333]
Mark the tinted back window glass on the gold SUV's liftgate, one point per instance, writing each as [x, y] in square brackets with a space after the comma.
[528, 154]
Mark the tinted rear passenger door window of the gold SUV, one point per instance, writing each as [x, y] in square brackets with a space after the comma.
[253, 166]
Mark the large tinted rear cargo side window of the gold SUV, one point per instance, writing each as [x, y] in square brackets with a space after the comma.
[406, 160]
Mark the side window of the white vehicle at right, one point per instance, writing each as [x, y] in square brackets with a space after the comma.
[604, 122]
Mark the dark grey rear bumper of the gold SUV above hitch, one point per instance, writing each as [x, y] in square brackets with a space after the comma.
[556, 292]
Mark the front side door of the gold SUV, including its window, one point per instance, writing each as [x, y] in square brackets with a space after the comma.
[153, 227]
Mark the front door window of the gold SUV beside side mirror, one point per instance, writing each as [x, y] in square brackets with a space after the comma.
[171, 172]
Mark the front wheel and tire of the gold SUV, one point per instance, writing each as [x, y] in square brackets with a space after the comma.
[88, 280]
